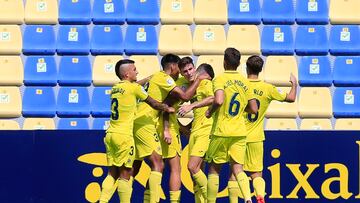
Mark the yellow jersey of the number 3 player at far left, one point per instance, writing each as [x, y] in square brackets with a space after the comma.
[124, 96]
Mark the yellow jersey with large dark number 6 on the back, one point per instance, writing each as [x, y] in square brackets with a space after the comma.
[229, 119]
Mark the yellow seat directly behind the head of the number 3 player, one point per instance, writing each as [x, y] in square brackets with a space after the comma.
[104, 70]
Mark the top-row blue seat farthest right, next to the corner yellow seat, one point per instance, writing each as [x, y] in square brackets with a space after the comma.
[312, 12]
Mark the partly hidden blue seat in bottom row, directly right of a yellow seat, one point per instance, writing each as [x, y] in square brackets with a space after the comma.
[73, 124]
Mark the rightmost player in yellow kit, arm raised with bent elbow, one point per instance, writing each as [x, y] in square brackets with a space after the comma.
[264, 94]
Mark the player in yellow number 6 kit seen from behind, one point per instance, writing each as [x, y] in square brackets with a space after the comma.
[233, 95]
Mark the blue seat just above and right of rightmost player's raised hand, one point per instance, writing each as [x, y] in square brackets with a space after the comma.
[315, 71]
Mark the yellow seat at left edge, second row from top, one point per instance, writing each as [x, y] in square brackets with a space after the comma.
[10, 40]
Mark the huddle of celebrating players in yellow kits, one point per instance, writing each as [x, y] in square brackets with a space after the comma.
[229, 111]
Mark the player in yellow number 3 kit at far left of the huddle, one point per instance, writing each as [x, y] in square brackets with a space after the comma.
[119, 139]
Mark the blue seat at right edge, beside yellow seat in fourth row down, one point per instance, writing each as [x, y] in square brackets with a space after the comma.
[346, 102]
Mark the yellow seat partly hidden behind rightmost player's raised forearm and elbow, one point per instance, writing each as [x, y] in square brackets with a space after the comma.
[277, 109]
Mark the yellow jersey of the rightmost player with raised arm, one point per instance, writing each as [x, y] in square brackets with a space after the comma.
[264, 94]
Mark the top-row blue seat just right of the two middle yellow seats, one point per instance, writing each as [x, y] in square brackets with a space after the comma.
[244, 12]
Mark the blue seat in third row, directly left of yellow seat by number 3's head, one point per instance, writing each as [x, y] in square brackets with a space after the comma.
[75, 71]
